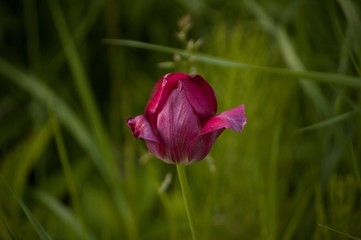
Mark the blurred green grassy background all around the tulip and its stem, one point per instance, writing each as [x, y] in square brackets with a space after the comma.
[71, 169]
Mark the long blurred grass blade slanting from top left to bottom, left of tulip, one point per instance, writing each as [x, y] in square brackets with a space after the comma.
[90, 106]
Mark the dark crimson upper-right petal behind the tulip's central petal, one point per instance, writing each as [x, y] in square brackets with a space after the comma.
[201, 96]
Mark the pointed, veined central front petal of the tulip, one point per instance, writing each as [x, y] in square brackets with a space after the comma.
[177, 126]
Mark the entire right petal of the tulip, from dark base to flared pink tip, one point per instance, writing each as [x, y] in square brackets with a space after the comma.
[234, 119]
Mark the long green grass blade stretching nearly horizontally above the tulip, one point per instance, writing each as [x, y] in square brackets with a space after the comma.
[329, 78]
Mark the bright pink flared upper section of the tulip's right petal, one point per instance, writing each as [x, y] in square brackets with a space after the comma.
[234, 119]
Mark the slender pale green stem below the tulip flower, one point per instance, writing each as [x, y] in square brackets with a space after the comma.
[186, 196]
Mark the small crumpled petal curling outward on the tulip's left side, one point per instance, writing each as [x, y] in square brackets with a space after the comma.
[142, 129]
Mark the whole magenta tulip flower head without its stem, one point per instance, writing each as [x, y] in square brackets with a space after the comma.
[180, 123]
